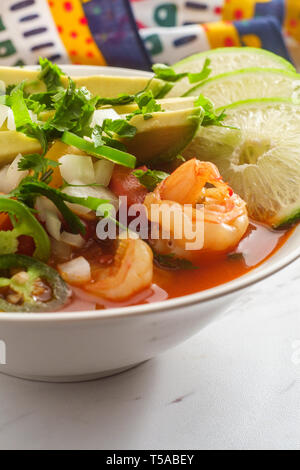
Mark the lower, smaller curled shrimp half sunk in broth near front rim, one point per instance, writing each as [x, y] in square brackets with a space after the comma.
[130, 273]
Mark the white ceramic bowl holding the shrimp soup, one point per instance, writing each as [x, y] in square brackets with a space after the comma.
[68, 347]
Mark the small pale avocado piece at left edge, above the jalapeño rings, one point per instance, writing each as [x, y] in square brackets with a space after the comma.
[12, 143]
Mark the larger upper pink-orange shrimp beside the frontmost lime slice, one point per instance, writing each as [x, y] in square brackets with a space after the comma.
[222, 213]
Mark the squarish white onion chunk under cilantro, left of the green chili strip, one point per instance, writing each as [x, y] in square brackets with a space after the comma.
[77, 167]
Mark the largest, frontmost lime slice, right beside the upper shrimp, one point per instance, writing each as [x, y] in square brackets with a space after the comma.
[261, 159]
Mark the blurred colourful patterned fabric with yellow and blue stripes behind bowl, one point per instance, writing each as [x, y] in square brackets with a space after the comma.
[136, 33]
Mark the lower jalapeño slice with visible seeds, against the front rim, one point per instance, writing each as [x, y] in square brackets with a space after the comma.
[27, 285]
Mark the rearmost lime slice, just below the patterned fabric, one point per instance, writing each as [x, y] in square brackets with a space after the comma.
[226, 60]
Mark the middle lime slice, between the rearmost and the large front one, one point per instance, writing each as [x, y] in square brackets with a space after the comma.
[246, 84]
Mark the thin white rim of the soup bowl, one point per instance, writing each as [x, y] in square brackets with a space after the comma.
[242, 282]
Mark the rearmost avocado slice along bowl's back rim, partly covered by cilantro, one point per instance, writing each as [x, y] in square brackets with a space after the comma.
[101, 85]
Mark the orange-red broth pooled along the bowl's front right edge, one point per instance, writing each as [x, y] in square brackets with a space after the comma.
[257, 246]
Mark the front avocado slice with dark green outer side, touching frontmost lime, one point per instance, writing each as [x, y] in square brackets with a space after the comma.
[165, 135]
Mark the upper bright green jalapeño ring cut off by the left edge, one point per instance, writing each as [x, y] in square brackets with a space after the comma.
[24, 223]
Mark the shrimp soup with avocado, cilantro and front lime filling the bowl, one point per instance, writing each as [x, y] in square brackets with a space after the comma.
[111, 201]
